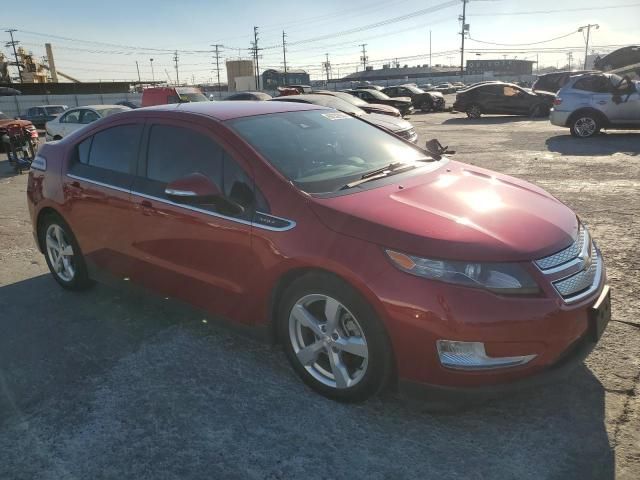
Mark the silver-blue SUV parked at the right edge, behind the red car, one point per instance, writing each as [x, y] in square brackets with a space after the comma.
[591, 102]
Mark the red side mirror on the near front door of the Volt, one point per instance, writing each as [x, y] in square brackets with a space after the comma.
[197, 189]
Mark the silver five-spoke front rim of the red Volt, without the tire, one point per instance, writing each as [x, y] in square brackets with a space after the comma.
[328, 341]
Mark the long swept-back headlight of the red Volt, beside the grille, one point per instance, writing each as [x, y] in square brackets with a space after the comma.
[503, 278]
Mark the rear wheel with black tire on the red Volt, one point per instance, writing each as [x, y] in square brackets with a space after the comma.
[62, 253]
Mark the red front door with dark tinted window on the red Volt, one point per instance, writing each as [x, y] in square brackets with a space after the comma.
[197, 253]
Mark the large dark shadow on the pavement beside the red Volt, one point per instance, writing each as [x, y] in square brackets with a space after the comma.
[116, 384]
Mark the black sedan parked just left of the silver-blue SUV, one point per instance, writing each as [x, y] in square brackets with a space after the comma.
[503, 99]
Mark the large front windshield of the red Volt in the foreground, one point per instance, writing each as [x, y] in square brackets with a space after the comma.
[322, 150]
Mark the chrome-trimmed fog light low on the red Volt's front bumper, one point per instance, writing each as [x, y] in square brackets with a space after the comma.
[472, 356]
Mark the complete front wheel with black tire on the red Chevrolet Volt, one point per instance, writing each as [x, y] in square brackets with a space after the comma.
[318, 353]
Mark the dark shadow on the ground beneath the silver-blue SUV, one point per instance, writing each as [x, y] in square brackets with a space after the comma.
[602, 144]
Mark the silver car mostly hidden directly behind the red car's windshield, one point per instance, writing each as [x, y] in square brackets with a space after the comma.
[398, 126]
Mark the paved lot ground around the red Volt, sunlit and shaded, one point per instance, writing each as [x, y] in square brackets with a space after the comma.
[114, 383]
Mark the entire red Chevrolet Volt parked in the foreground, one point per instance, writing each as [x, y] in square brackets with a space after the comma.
[373, 262]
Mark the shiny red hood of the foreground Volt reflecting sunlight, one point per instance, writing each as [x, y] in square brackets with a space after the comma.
[456, 212]
